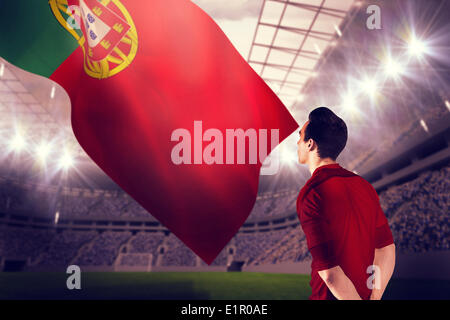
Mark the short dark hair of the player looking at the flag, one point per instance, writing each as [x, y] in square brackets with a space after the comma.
[328, 131]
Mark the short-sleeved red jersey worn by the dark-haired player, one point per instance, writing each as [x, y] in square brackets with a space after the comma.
[343, 222]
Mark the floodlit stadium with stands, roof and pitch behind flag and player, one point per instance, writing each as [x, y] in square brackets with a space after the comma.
[391, 86]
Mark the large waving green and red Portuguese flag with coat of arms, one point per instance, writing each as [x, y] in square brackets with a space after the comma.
[155, 87]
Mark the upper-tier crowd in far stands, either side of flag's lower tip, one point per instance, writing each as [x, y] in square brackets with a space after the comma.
[119, 206]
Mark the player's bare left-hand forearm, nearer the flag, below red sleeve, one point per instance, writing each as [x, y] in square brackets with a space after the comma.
[339, 284]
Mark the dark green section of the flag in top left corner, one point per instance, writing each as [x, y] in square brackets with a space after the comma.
[31, 37]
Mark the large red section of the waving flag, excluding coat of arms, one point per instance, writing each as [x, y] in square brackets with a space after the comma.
[185, 70]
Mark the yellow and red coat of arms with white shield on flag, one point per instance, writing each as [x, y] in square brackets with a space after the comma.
[108, 35]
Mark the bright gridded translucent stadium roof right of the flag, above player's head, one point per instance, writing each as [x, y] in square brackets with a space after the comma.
[290, 38]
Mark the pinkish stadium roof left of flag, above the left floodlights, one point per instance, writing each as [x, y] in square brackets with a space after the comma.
[34, 108]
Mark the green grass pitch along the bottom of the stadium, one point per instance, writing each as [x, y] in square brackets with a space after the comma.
[190, 285]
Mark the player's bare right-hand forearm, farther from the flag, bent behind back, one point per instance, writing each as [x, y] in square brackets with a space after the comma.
[385, 260]
